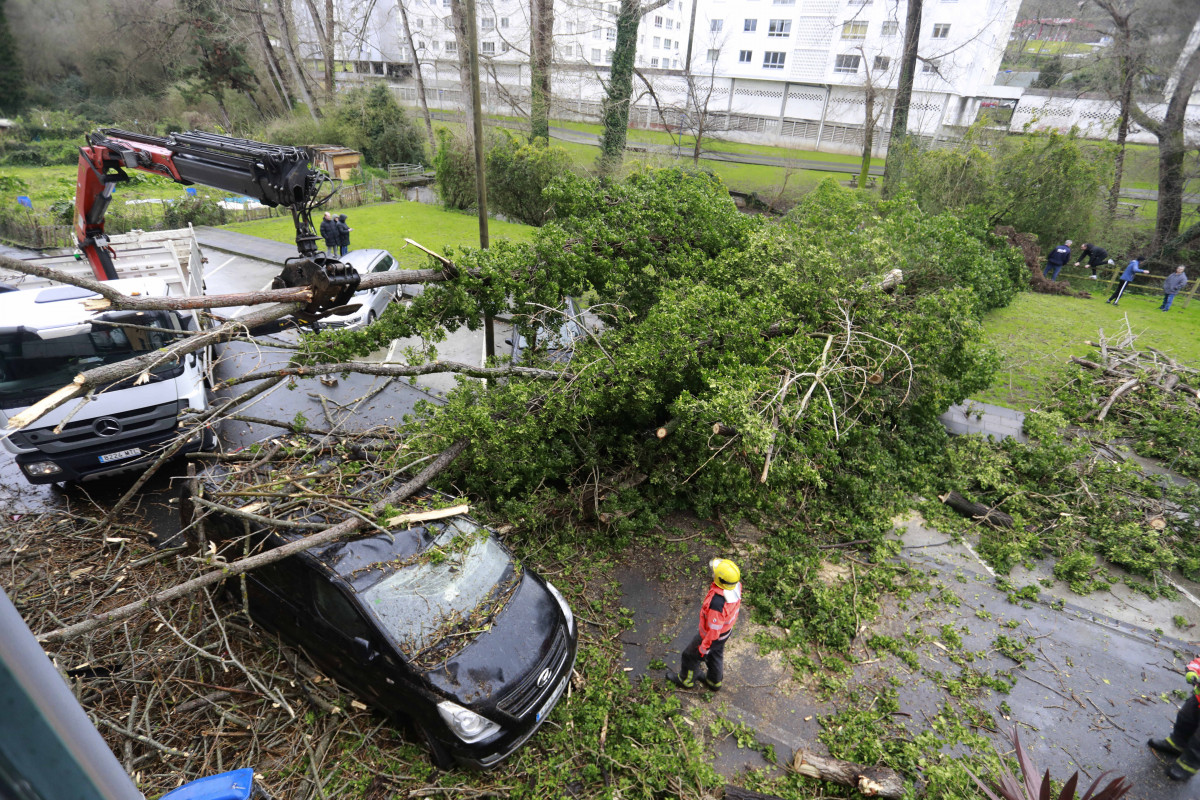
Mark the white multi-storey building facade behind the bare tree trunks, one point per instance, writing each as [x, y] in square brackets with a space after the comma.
[776, 71]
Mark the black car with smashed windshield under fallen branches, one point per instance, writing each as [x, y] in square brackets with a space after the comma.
[436, 624]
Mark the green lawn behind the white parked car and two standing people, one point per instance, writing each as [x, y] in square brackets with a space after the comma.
[387, 226]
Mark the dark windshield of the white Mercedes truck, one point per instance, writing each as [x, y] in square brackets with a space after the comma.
[32, 366]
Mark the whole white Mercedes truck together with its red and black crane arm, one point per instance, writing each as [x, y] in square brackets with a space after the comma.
[49, 334]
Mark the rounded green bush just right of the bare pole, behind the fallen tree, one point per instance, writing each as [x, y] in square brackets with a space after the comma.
[518, 175]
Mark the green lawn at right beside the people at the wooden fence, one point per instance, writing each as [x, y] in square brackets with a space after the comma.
[1039, 334]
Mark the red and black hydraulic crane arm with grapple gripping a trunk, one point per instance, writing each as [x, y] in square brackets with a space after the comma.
[273, 175]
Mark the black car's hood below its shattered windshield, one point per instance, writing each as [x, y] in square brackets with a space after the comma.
[515, 645]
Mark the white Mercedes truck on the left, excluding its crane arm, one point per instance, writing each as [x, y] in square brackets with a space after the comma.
[47, 338]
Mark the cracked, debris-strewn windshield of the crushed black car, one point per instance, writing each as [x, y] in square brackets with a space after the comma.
[453, 587]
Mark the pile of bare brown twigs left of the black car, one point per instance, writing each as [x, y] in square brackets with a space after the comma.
[188, 689]
